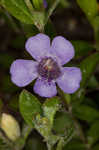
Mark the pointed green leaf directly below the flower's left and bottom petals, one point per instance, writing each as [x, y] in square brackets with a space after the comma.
[29, 106]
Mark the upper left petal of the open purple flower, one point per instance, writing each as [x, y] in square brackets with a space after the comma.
[38, 45]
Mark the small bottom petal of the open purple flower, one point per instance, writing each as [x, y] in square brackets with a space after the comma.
[44, 88]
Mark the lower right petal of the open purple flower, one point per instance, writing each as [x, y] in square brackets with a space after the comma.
[69, 82]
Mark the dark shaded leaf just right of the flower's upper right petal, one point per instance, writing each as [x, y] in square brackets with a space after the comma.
[82, 48]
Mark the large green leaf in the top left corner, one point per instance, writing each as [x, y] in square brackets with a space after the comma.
[18, 9]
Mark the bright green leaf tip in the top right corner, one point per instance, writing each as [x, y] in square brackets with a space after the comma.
[90, 8]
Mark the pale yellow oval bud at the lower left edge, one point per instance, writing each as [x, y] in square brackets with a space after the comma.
[10, 126]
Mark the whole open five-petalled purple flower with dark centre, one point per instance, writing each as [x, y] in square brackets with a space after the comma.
[48, 66]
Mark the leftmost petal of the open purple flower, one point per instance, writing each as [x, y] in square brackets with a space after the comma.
[23, 72]
